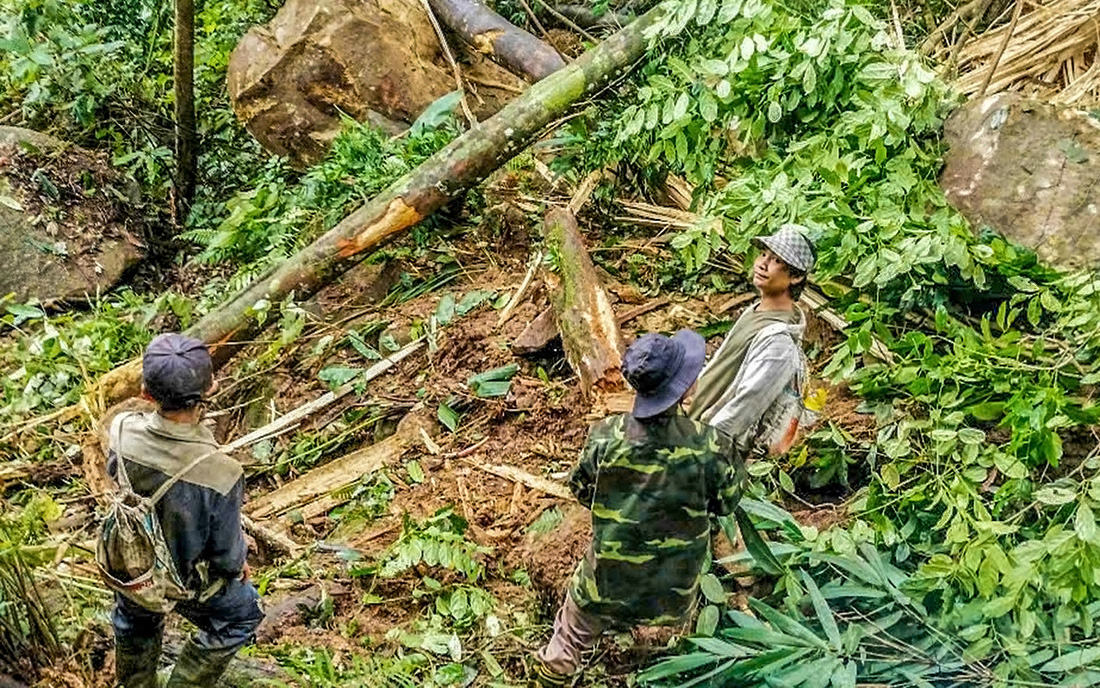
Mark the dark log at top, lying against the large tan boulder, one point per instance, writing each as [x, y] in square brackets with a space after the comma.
[500, 40]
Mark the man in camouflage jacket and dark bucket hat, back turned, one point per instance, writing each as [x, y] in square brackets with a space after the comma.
[653, 479]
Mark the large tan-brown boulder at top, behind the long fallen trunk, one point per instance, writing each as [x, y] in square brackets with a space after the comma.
[376, 61]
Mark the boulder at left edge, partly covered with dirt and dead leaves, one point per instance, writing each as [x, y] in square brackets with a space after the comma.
[68, 221]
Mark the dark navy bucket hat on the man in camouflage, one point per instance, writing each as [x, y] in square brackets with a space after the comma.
[662, 369]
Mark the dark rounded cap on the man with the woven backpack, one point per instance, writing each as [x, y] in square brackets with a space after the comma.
[177, 370]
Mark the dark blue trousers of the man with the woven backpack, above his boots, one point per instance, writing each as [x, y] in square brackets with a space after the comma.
[226, 623]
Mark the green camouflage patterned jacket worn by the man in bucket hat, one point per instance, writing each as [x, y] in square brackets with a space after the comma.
[652, 488]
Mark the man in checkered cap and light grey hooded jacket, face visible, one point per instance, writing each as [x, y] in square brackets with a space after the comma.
[753, 387]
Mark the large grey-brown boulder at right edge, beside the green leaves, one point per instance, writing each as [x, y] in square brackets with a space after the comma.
[1030, 171]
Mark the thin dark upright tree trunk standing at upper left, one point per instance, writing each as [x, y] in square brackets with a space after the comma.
[184, 80]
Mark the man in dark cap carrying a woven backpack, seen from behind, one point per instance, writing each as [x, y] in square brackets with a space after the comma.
[192, 555]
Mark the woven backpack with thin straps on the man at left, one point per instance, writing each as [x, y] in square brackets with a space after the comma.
[131, 552]
